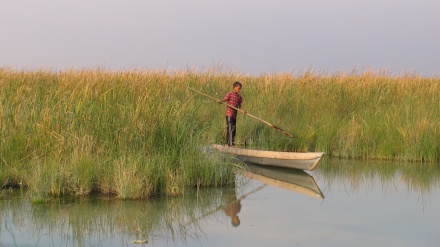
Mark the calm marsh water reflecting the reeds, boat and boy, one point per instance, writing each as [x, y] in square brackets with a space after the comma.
[341, 203]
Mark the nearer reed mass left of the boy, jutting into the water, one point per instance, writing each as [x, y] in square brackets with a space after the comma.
[134, 135]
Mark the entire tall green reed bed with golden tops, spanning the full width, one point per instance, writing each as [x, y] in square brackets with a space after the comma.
[136, 134]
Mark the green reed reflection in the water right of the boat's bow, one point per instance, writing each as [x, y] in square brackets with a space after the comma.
[422, 178]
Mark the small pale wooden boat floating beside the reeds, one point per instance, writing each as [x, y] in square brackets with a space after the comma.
[302, 161]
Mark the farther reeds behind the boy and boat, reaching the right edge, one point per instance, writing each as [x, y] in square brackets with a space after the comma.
[368, 115]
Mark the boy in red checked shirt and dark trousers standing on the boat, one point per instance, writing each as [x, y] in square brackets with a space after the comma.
[234, 99]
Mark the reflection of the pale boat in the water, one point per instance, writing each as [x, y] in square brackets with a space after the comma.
[289, 179]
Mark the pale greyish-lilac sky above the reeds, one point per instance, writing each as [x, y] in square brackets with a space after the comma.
[248, 36]
